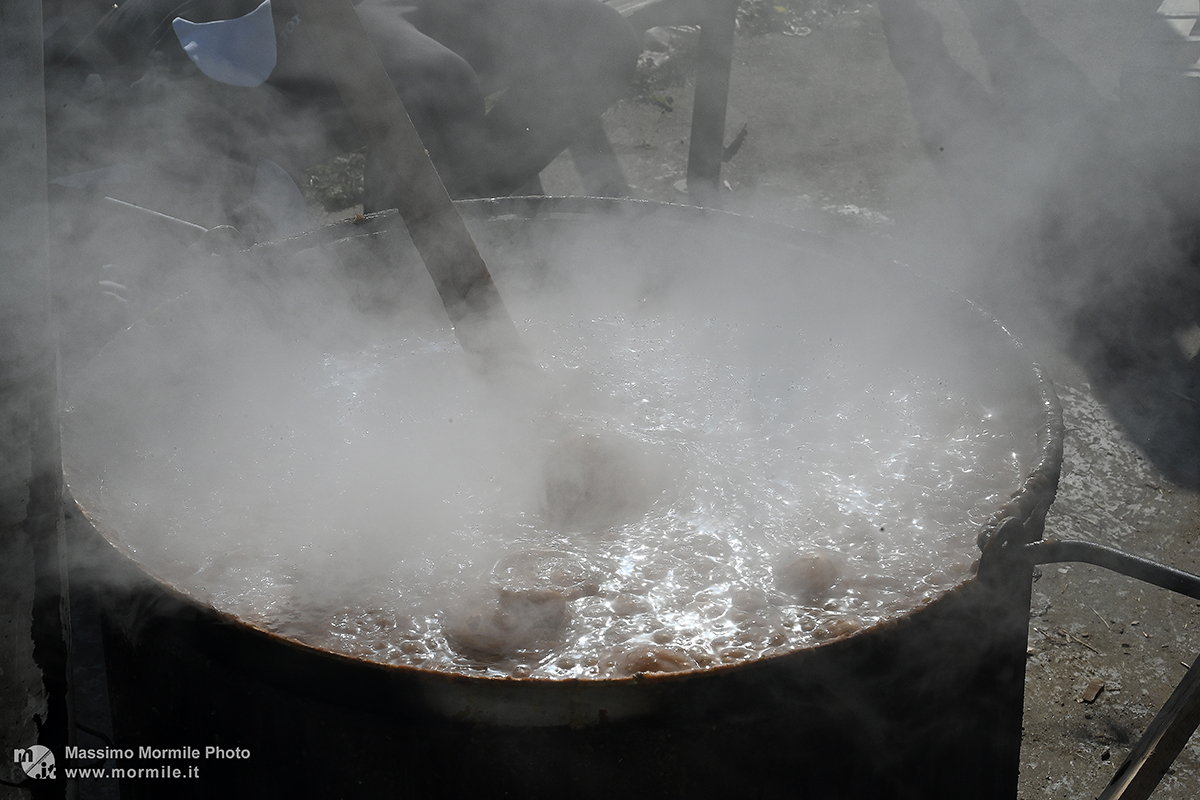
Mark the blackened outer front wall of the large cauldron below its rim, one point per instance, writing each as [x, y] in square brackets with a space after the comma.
[928, 707]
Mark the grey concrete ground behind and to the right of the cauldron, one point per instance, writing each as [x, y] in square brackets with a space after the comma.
[832, 146]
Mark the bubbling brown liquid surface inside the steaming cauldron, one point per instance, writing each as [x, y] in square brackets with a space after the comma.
[687, 506]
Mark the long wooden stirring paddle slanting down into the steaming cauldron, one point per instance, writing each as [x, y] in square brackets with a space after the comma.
[481, 321]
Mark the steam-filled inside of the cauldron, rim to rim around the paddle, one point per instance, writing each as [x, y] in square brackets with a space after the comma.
[723, 476]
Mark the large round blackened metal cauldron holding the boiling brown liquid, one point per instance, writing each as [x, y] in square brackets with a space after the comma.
[925, 706]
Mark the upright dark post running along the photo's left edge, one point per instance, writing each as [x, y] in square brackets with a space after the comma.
[35, 664]
